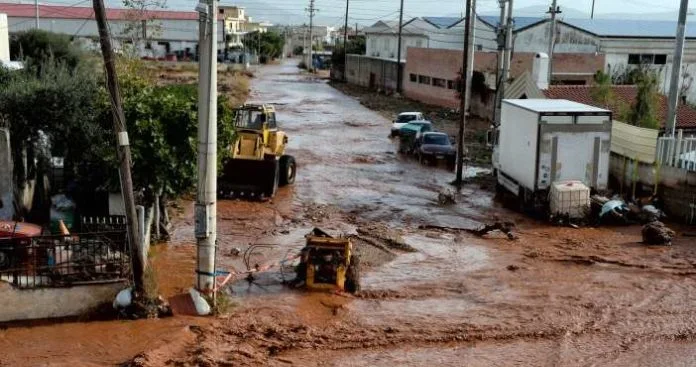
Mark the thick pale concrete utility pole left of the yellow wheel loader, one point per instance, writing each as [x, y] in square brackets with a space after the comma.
[206, 205]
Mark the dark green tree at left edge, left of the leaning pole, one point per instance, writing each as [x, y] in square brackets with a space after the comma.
[51, 101]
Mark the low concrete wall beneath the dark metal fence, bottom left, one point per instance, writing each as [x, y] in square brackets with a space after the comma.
[44, 303]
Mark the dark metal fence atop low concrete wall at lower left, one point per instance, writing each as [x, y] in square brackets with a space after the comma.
[61, 261]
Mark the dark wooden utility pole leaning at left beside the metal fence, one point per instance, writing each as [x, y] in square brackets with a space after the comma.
[122, 148]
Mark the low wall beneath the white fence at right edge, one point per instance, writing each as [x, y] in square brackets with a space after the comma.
[677, 187]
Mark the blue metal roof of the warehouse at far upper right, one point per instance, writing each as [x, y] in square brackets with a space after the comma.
[630, 28]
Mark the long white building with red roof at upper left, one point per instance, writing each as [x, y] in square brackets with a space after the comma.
[166, 32]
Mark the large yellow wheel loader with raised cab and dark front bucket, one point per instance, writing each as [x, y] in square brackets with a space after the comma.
[258, 164]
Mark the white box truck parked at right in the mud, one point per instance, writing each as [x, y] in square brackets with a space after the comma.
[540, 142]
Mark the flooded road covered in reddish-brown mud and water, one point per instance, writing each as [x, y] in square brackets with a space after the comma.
[553, 297]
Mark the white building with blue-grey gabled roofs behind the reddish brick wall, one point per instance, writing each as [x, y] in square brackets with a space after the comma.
[428, 32]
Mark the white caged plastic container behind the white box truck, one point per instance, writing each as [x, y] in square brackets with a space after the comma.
[571, 198]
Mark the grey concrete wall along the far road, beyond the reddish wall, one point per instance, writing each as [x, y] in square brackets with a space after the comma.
[371, 72]
